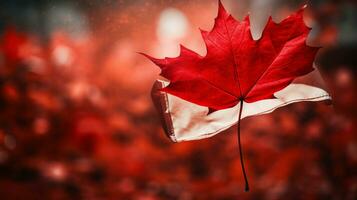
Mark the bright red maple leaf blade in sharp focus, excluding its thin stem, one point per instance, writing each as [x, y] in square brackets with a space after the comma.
[237, 67]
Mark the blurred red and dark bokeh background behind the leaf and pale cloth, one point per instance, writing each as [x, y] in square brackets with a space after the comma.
[77, 122]
